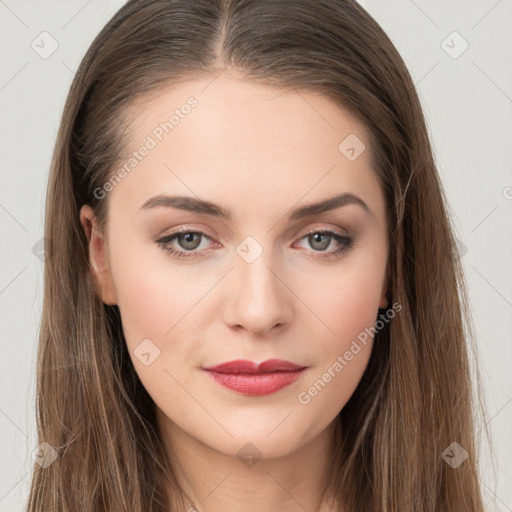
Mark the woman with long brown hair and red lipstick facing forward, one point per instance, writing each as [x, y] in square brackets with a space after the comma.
[253, 299]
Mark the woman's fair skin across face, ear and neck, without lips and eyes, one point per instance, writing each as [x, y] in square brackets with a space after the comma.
[260, 153]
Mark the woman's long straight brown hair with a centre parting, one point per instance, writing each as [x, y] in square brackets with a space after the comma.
[415, 397]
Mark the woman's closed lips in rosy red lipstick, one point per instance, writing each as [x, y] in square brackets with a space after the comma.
[255, 379]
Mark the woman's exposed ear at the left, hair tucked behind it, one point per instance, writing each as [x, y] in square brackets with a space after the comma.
[98, 256]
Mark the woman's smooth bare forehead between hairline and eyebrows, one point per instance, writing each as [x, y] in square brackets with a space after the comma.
[217, 136]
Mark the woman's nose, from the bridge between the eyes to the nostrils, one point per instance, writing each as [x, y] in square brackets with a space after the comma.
[259, 298]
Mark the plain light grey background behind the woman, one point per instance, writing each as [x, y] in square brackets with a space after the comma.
[468, 104]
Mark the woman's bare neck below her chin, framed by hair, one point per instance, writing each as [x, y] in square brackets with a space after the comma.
[217, 482]
